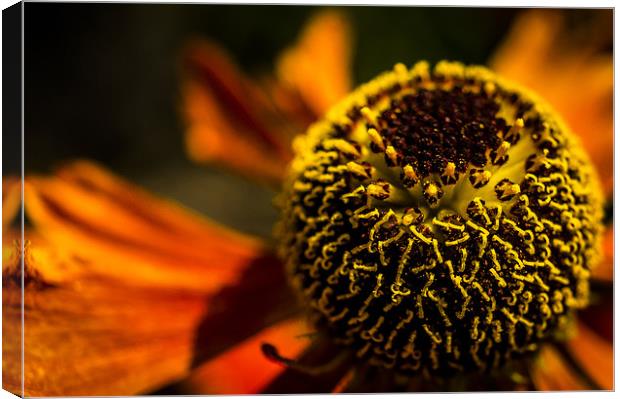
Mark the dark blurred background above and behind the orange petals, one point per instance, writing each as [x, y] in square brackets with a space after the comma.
[102, 82]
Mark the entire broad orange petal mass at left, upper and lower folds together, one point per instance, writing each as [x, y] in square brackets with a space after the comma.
[117, 285]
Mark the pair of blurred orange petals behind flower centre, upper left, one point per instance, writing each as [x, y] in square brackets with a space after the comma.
[248, 126]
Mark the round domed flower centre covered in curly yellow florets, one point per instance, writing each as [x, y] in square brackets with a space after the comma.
[440, 220]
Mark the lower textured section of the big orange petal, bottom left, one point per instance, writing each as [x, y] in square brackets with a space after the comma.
[94, 334]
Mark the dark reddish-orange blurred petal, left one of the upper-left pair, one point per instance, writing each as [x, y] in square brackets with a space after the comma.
[229, 120]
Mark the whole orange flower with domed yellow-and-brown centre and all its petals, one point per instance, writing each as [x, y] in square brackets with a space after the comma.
[438, 226]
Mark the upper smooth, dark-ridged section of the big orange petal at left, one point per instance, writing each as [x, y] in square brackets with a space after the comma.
[116, 229]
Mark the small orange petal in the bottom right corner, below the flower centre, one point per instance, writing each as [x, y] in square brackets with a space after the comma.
[595, 355]
